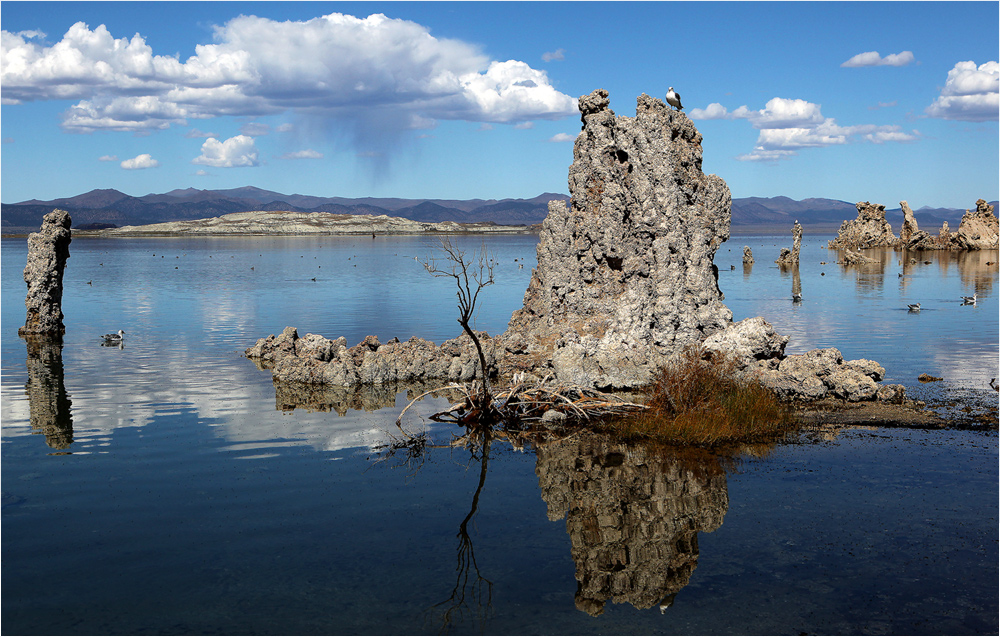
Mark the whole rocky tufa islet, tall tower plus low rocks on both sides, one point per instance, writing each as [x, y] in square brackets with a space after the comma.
[625, 280]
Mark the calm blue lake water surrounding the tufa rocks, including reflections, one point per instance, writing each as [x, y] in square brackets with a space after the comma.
[166, 487]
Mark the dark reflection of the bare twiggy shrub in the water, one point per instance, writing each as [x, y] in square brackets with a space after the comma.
[477, 595]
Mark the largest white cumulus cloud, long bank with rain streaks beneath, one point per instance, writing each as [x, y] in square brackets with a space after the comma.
[372, 71]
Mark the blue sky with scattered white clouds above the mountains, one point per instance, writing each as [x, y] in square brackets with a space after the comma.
[854, 101]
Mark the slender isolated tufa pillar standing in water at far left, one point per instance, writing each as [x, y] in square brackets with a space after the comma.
[48, 250]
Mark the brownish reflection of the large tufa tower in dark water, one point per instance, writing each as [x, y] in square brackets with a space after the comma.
[633, 516]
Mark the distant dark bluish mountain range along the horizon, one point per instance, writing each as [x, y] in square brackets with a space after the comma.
[103, 208]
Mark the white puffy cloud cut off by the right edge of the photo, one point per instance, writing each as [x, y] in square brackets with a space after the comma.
[971, 93]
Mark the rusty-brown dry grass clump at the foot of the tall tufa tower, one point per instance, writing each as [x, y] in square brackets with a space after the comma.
[705, 403]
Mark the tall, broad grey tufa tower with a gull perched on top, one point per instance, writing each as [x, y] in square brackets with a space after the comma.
[625, 275]
